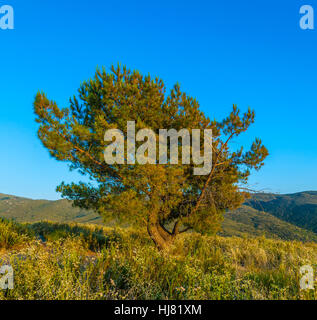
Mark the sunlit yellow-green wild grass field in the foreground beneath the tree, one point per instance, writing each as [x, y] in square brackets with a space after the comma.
[60, 261]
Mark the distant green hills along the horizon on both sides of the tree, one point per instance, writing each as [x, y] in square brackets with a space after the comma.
[287, 217]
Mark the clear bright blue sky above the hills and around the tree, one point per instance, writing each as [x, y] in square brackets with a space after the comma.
[251, 53]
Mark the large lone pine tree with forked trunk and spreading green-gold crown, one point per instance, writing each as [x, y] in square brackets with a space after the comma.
[152, 195]
